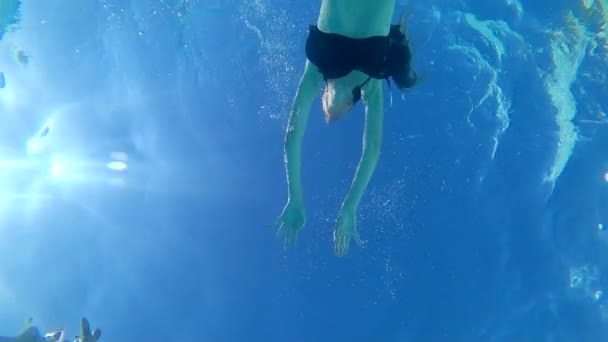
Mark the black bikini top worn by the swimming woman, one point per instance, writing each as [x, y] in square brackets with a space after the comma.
[378, 56]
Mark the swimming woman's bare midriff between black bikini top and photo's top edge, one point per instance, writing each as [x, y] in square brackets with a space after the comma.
[356, 18]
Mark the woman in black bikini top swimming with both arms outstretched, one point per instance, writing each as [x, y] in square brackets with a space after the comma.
[352, 50]
